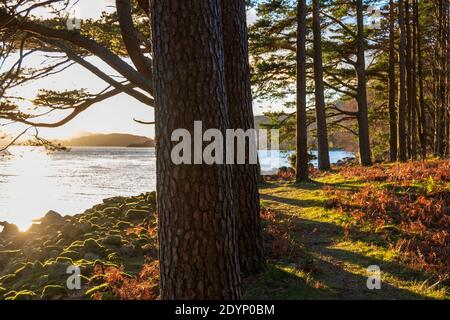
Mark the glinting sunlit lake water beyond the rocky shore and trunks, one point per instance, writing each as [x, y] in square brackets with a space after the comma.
[33, 181]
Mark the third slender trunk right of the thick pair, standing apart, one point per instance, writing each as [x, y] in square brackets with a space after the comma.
[363, 121]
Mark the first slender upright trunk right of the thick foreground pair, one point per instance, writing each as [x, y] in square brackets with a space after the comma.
[302, 130]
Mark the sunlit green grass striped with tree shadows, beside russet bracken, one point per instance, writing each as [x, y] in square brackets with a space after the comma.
[329, 260]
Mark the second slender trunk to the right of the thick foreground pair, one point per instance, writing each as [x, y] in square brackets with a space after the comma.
[322, 132]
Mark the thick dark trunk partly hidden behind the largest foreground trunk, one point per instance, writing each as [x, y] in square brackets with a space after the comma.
[245, 188]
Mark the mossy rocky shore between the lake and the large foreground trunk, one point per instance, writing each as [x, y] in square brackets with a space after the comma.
[38, 263]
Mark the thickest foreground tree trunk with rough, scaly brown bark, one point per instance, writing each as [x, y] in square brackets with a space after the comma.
[198, 256]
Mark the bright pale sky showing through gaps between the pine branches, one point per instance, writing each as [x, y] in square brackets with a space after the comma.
[113, 115]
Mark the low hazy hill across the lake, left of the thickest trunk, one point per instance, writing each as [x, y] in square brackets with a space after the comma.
[109, 140]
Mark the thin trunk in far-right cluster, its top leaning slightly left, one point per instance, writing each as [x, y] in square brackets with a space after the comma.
[422, 115]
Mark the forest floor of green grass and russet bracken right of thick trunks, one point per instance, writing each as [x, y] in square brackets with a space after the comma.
[329, 231]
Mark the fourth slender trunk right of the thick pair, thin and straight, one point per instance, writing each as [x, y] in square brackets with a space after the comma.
[392, 92]
